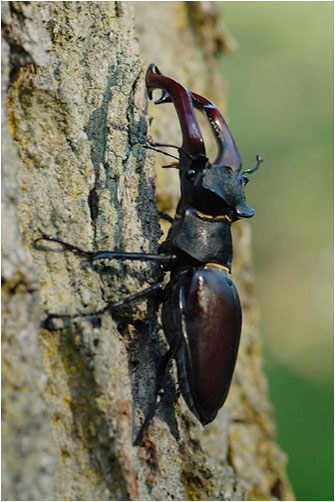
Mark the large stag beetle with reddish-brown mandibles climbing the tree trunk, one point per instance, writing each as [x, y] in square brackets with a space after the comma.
[201, 311]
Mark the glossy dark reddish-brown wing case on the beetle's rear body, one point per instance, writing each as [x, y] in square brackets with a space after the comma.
[202, 313]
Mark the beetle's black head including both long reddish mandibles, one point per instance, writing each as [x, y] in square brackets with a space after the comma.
[212, 188]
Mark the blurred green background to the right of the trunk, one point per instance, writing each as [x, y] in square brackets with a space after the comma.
[280, 103]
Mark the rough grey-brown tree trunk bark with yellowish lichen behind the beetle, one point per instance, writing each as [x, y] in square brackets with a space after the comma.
[74, 166]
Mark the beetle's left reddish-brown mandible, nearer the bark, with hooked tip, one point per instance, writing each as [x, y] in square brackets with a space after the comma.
[193, 143]
